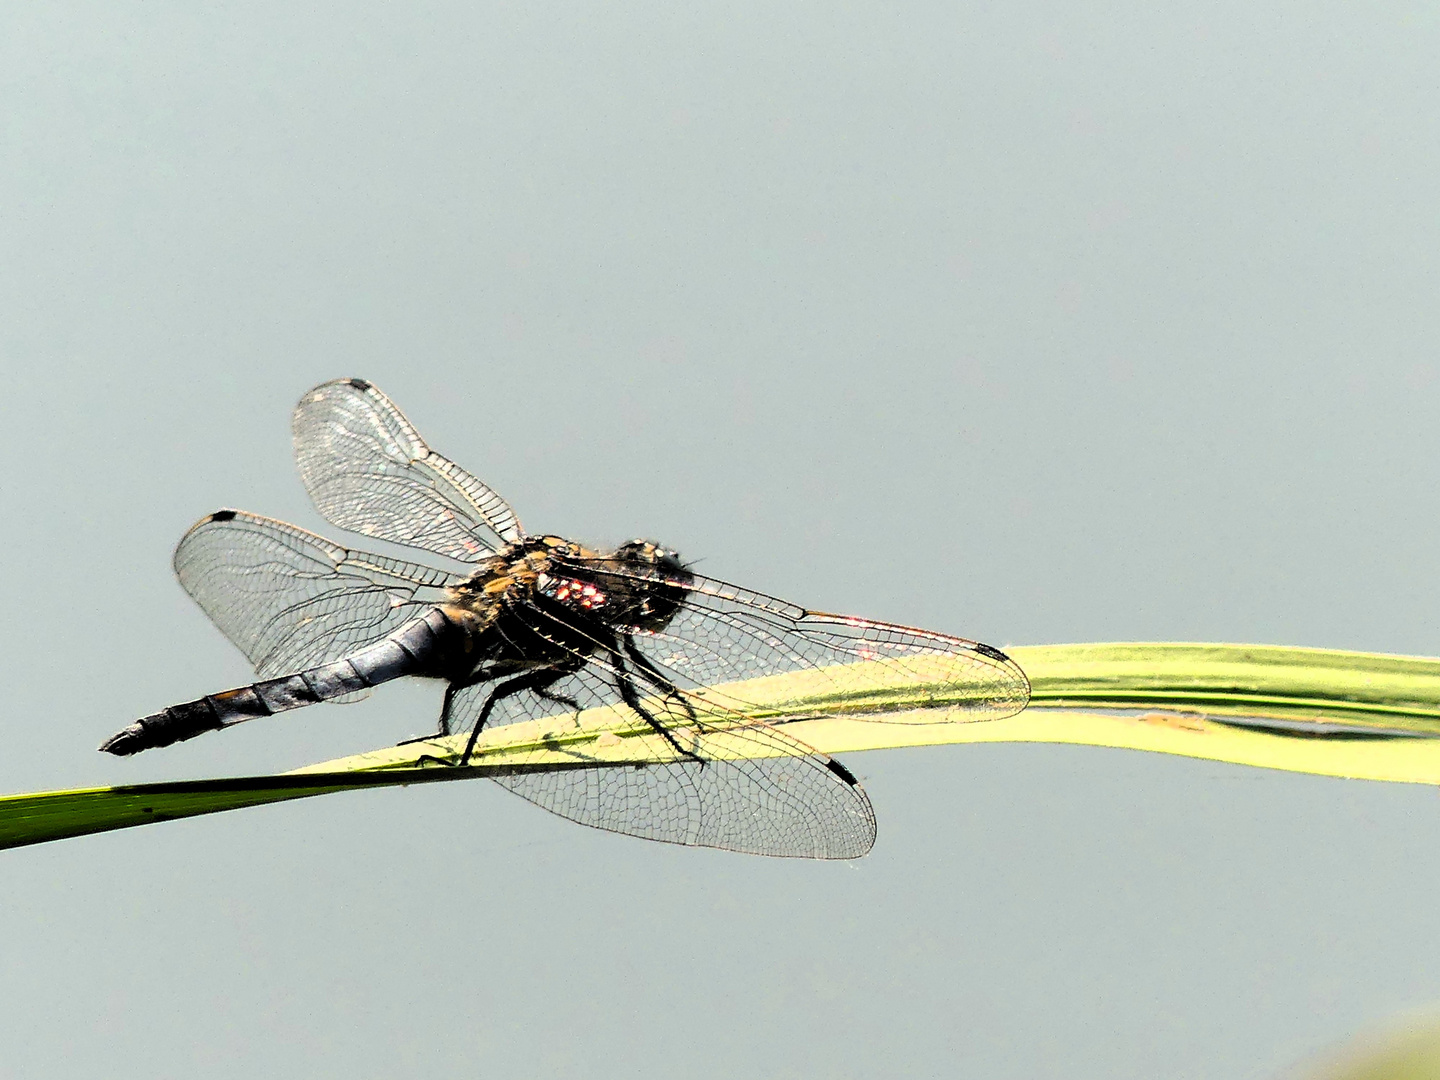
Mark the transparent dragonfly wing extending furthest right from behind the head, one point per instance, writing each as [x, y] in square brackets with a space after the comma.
[724, 634]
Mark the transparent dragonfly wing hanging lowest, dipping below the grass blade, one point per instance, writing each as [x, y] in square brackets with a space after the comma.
[735, 784]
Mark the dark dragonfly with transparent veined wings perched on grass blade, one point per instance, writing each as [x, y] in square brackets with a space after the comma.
[526, 627]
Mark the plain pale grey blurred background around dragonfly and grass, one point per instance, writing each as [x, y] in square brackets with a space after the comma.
[1033, 323]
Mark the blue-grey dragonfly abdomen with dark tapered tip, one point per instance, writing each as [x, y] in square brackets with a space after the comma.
[428, 646]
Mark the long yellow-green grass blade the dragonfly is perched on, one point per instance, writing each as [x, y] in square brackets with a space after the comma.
[1326, 712]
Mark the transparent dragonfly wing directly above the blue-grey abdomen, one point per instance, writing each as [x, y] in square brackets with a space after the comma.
[292, 600]
